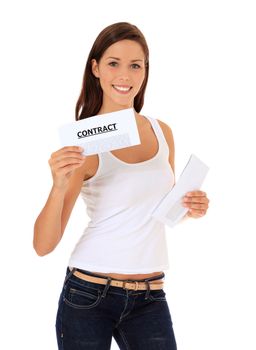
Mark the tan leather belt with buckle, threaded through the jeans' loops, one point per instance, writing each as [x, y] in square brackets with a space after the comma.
[133, 285]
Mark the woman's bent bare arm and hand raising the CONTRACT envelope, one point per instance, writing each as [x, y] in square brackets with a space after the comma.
[68, 171]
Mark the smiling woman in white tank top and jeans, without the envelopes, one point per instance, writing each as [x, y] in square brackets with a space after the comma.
[114, 281]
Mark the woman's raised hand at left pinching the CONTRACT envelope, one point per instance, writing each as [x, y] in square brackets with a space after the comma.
[63, 163]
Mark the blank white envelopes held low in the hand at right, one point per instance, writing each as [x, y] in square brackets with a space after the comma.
[170, 209]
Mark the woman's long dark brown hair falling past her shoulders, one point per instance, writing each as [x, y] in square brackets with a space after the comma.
[90, 99]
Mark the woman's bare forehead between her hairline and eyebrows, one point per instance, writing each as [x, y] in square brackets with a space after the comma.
[128, 49]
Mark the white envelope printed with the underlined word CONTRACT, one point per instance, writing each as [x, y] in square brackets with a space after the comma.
[102, 133]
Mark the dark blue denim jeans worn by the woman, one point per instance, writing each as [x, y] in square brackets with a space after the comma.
[89, 314]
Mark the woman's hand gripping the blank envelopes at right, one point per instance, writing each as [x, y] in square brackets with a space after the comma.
[197, 203]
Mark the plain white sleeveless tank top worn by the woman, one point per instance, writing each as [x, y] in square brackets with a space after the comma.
[121, 236]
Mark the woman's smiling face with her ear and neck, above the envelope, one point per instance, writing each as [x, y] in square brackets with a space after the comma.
[121, 72]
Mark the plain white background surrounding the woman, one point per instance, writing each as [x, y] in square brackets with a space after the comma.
[202, 83]
